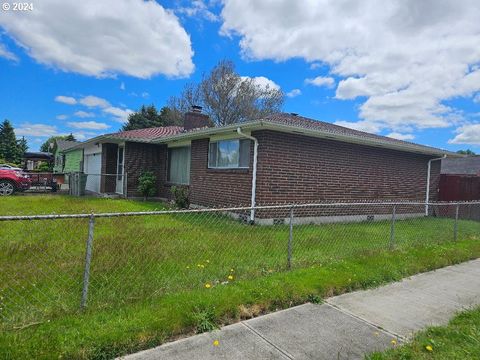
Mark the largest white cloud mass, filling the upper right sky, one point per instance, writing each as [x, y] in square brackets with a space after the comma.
[406, 57]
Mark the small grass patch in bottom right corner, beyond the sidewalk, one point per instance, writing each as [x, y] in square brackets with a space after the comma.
[460, 339]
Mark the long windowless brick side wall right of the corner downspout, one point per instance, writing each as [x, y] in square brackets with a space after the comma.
[295, 168]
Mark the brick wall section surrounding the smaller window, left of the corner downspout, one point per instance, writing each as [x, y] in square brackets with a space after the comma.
[214, 187]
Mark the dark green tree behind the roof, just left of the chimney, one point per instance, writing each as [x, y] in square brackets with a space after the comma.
[148, 116]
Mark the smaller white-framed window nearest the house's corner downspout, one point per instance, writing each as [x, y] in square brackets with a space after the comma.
[226, 154]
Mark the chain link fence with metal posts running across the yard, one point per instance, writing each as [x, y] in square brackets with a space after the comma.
[52, 265]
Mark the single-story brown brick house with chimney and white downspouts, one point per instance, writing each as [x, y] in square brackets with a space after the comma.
[282, 158]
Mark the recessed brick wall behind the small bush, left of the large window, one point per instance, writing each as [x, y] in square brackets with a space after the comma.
[141, 157]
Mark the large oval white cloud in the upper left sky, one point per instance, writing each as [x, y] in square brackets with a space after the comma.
[103, 38]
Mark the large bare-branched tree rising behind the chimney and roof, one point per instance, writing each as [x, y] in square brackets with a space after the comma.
[227, 97]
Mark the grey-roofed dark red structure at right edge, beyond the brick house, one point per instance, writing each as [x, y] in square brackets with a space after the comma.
[460, 179]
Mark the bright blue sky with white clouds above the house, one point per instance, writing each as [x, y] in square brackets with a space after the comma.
[407, 69]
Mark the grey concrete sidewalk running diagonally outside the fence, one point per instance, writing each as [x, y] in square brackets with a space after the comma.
[345, 327]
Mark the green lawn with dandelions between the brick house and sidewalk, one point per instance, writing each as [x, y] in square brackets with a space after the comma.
[151, 274]
